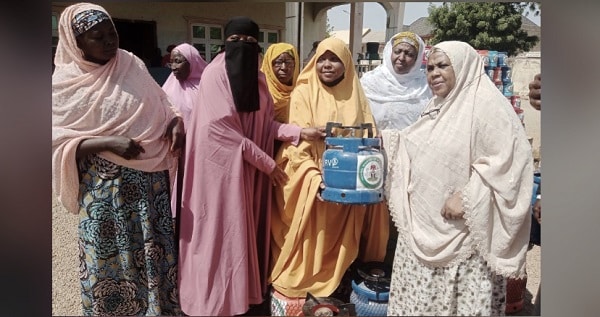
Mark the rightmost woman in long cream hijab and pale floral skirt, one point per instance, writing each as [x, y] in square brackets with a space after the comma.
[459, 189]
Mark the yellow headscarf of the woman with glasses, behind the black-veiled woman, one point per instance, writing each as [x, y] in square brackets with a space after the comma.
[279, 91]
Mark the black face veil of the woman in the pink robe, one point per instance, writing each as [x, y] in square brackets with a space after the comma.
[241, 63]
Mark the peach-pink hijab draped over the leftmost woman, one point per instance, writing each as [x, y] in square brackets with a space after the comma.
[91, 100]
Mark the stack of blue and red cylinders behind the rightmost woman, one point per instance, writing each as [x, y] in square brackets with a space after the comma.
[497, 69]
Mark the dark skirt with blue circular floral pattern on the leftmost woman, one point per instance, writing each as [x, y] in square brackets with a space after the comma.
[127, 250]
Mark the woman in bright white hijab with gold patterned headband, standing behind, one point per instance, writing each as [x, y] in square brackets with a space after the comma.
[397, 89]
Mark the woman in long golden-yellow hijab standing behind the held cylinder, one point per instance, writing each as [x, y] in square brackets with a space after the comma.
[315, 242]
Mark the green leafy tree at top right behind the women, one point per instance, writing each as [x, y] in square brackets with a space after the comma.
[484, 25]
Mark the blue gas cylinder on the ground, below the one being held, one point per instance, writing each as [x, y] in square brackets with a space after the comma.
[371, 289]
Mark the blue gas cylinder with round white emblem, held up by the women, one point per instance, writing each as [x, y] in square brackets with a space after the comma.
[353, 166]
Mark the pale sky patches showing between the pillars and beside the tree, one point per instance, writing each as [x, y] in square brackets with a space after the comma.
[374, 15]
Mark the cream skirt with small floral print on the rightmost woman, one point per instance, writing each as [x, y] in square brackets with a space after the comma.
[469, 288]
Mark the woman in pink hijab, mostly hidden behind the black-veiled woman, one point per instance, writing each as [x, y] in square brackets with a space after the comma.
[181, 86]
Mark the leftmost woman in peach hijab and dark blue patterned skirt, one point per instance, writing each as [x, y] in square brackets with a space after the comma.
[114, 142]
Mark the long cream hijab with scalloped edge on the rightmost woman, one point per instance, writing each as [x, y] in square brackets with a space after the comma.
[475, 145]
